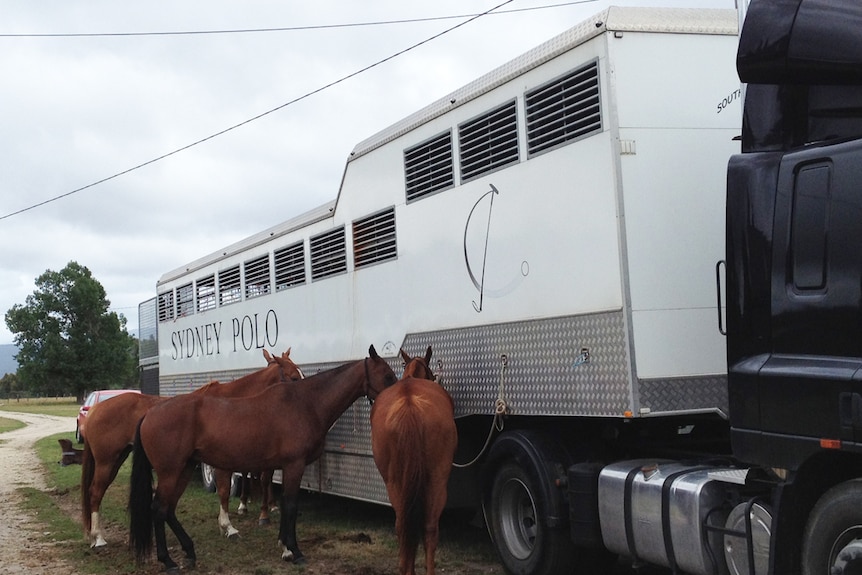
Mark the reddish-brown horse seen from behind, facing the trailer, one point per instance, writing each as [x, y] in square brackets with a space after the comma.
[413, 438]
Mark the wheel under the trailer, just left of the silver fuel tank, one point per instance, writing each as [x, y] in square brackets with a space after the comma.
[525, 544]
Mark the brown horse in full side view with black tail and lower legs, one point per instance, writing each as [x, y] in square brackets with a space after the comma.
[282, 427]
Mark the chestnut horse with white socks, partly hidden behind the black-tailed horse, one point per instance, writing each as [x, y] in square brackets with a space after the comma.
[111, 426]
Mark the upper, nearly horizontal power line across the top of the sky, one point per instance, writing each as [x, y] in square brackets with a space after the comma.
[291, 28]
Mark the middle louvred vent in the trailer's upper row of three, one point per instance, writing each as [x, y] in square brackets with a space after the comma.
[488, 142]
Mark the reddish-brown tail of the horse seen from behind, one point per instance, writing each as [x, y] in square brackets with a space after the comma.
[410, 434]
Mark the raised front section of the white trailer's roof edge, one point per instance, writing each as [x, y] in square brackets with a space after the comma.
[614, 19]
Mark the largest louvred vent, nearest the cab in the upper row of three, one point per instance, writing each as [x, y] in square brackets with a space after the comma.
[563, 110]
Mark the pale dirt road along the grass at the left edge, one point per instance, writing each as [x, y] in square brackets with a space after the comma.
[21, 550]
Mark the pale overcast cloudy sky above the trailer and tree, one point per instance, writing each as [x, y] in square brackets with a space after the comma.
[75, 110]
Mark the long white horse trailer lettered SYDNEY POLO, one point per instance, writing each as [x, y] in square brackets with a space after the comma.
[550, 229]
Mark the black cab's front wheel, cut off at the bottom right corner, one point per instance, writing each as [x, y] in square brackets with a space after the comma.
[832, 544]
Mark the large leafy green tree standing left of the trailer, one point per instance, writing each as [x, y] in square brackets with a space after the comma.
[69, 343]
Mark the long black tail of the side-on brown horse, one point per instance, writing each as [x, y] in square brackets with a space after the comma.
[141, 500]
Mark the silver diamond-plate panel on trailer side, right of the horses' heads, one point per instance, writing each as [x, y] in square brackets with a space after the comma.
[534, 365]
